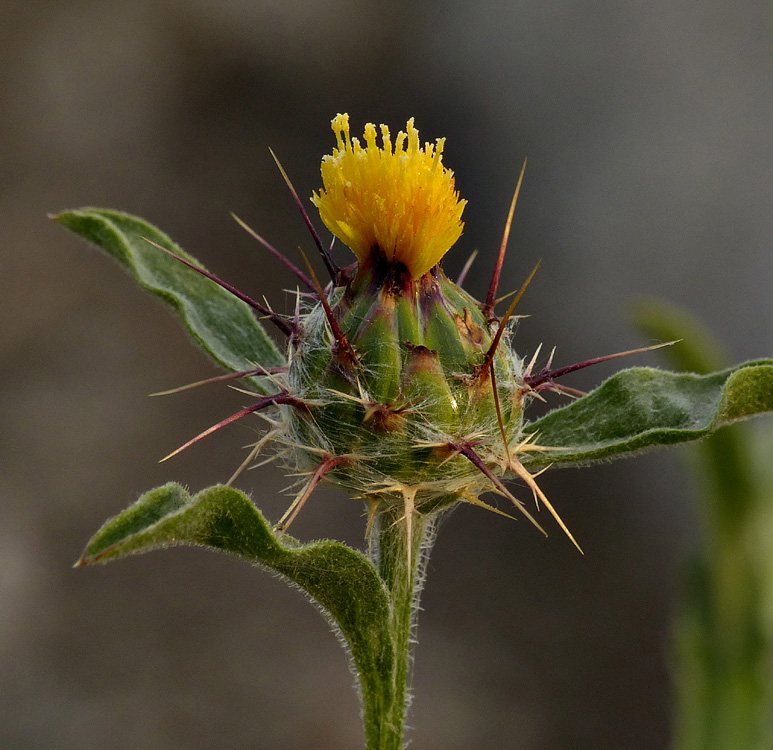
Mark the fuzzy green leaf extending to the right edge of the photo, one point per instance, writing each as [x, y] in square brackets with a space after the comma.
[643, 408]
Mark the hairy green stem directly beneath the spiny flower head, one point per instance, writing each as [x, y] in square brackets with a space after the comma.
[401, 562]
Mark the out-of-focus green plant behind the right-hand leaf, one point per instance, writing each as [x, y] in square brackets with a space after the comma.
[722, 647]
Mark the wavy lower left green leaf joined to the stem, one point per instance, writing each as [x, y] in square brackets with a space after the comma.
[341, 580]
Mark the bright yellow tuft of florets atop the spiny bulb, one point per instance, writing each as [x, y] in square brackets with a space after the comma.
[397, 203]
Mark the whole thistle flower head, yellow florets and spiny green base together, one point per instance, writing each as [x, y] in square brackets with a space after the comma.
[399, 387]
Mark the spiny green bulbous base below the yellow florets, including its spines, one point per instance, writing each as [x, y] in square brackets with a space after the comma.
[400, 392]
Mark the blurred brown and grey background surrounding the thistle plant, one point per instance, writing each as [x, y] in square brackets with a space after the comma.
[648, 132]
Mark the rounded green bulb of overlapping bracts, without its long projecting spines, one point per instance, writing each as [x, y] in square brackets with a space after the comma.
[407, 384]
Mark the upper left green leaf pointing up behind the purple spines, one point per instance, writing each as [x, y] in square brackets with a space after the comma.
[222, 325]
